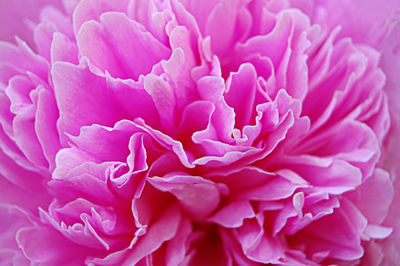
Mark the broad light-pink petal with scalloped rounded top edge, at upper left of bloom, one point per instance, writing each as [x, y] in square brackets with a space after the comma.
[115, 50]
